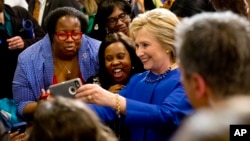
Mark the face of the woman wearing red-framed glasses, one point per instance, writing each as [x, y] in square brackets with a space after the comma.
[69, 47]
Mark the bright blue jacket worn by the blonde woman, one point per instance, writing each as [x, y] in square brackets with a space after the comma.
[153, 110]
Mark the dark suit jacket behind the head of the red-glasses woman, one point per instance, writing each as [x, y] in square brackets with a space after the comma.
[51, 5]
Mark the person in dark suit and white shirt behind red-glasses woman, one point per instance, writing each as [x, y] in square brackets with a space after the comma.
[41, 8]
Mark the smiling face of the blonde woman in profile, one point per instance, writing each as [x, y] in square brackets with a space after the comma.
[151, 52]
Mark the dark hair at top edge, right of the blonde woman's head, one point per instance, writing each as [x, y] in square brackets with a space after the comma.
[188, 8]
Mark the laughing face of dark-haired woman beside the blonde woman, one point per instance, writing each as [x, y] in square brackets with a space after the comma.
[117, 62]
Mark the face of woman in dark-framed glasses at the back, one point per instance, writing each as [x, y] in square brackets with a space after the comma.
[120, 21]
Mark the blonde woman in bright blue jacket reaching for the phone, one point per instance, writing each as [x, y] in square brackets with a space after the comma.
[153, 103]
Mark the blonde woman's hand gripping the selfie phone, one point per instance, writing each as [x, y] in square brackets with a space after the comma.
[93, 93]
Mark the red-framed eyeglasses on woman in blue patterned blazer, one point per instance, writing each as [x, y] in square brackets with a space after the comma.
[62, 36]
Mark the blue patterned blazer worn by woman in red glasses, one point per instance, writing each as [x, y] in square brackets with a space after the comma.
[35, 69]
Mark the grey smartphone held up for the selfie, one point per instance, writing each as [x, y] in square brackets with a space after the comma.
[67, 88]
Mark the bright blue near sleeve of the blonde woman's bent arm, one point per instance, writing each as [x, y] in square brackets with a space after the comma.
[168, 113]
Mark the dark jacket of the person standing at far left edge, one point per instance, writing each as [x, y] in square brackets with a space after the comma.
[8, 58]
